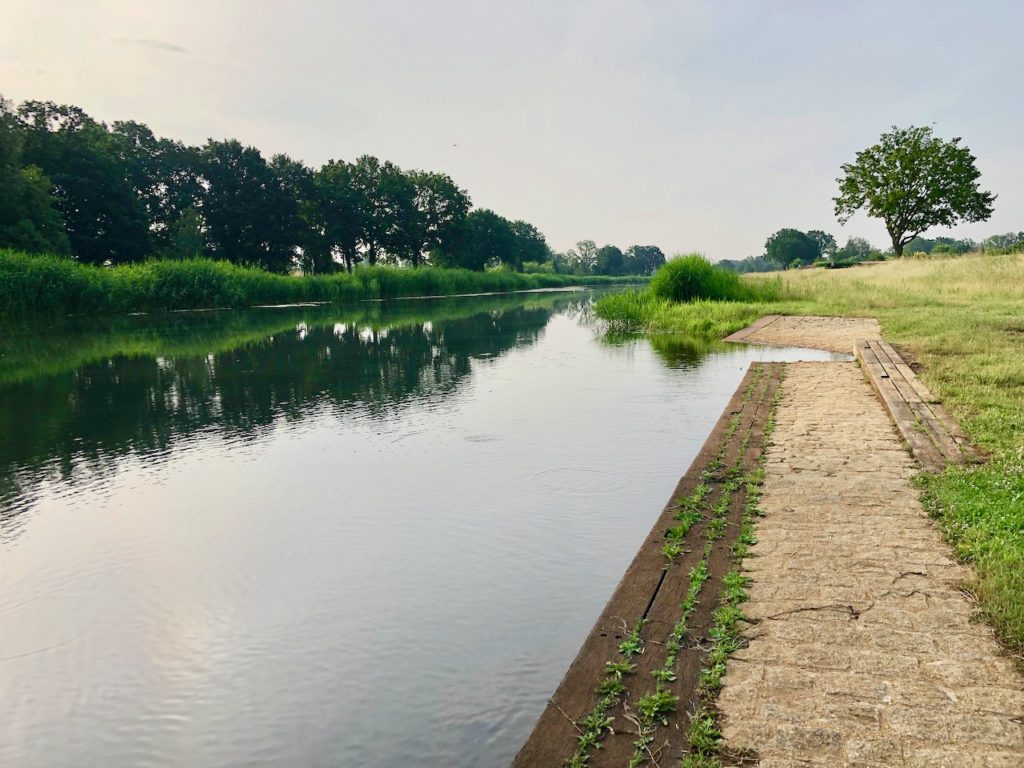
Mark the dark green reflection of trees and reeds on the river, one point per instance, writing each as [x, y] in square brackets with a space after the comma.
[73, 404]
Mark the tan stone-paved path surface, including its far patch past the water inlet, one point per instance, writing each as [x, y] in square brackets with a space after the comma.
[864, 653]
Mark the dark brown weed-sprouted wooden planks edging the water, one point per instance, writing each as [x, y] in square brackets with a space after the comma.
[651, 595]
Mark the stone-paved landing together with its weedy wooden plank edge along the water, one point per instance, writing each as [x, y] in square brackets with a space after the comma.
[845, 639]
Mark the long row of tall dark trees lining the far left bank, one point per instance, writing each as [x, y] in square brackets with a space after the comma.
[118, 195]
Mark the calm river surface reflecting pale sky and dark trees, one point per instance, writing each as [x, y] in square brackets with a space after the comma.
[322, 537]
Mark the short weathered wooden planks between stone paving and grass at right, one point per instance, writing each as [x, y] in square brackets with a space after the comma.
[932, 434]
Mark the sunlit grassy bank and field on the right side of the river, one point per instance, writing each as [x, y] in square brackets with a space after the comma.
[963, 320]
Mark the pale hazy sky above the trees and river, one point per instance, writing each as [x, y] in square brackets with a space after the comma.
[695, 126]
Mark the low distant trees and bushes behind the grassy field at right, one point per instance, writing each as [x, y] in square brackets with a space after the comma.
[793, 248]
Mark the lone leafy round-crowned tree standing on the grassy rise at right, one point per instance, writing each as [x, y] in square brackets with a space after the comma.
[913, 182]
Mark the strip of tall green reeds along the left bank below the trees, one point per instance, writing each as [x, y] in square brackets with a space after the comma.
[50, 286]
